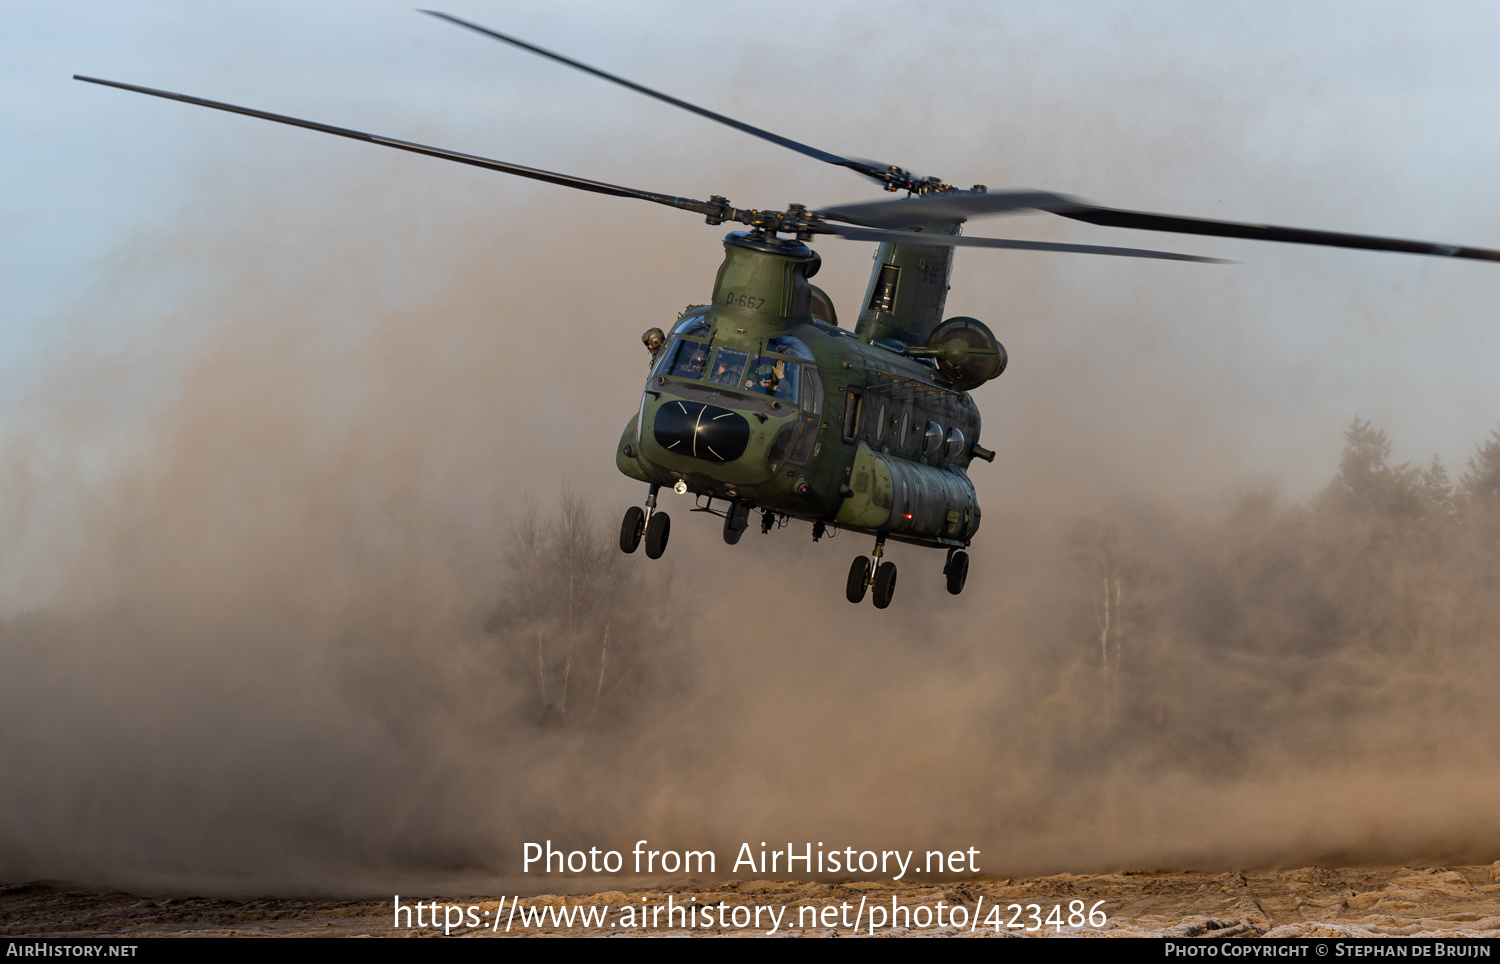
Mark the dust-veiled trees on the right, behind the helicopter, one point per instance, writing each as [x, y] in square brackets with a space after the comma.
[1277, 617]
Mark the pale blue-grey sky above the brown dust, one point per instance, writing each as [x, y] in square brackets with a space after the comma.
[1340, 116]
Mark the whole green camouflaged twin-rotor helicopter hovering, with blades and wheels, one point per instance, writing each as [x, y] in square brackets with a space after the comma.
[761, 401]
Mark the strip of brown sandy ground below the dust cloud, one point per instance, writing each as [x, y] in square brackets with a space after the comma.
[1312, 902]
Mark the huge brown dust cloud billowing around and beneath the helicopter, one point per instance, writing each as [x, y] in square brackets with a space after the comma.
[310, 585]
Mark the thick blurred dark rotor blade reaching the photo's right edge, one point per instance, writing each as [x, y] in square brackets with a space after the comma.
[956, 206]
